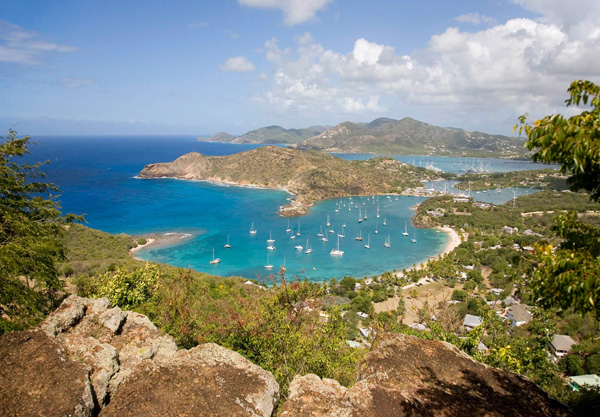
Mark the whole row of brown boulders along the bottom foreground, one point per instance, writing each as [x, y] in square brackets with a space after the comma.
[87, 359]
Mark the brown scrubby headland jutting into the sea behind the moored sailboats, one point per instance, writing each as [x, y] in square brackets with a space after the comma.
[310, 175]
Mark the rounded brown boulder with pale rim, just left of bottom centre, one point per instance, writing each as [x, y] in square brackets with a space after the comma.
[206, 380]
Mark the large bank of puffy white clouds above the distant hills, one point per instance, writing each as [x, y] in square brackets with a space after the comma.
[522, 65]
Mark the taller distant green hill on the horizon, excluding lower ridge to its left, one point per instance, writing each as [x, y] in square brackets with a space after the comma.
[410, 136]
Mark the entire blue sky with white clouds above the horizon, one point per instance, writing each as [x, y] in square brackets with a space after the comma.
[185, 67]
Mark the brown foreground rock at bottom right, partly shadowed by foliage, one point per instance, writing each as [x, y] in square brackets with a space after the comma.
[407, 376]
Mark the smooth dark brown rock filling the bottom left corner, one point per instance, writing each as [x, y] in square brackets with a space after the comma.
[37, 378]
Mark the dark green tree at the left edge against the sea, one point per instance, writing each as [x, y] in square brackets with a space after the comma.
[31, 244]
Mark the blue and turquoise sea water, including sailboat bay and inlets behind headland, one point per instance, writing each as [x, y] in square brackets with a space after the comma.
[97, 177]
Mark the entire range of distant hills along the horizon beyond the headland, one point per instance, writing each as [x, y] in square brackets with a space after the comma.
[386, 136]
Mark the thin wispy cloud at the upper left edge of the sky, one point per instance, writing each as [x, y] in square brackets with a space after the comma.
[21, 46]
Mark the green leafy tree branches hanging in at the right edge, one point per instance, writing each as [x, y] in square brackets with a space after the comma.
[570, 276]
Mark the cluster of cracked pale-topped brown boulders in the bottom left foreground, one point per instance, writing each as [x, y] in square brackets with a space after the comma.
[87, 356]
